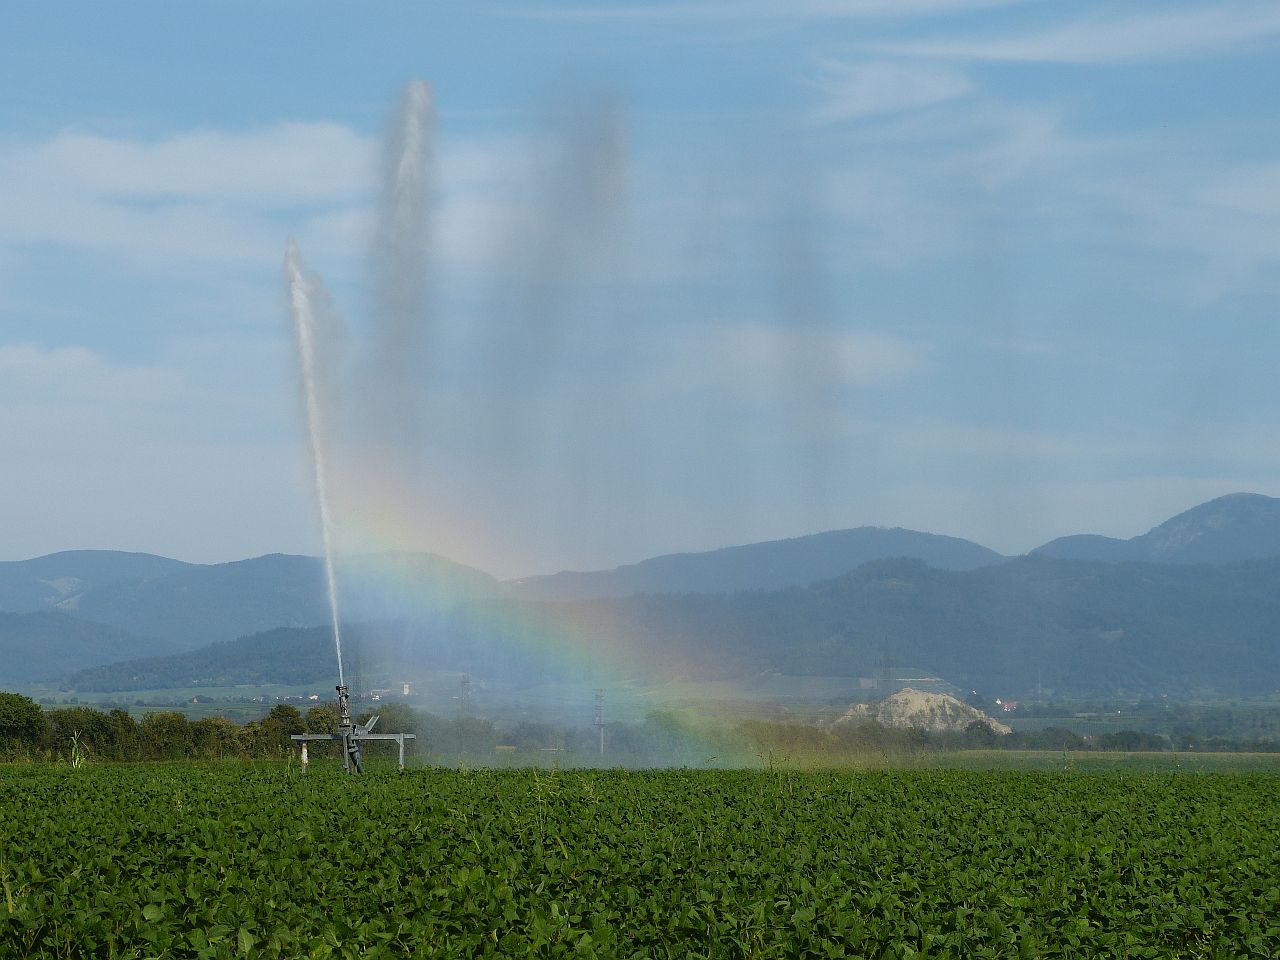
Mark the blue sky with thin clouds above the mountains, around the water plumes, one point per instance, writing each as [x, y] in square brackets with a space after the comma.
[1004, 271]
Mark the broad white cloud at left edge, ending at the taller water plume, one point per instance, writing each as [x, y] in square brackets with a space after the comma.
[203, 196]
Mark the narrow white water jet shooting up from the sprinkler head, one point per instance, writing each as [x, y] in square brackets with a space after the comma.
[303, 296]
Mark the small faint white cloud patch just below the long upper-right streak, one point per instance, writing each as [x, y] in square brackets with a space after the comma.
[857, 90]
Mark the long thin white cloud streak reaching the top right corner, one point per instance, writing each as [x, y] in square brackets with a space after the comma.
[1117, 38]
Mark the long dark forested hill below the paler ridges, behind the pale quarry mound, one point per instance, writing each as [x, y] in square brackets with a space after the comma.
[1067, 627]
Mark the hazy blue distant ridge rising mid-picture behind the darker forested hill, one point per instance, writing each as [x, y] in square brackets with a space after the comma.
[761, 566]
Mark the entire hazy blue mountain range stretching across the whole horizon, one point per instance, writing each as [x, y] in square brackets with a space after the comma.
[102, 607]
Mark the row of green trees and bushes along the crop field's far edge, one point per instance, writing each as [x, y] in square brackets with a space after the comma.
[665, 738]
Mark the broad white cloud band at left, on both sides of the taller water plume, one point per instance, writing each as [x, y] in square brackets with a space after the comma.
[227, 198]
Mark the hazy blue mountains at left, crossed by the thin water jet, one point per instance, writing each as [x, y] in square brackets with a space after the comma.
[86, 609]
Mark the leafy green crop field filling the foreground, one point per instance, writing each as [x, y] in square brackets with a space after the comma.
[244, 860]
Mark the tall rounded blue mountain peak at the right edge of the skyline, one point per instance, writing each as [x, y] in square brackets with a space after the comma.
[1240, 527]
